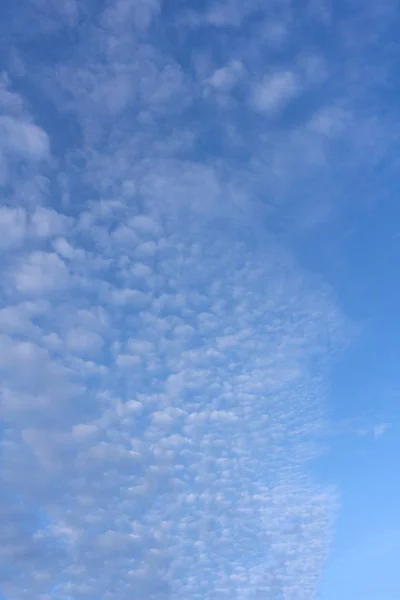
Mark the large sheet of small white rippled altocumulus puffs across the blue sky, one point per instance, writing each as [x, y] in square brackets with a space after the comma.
[163, 357]
